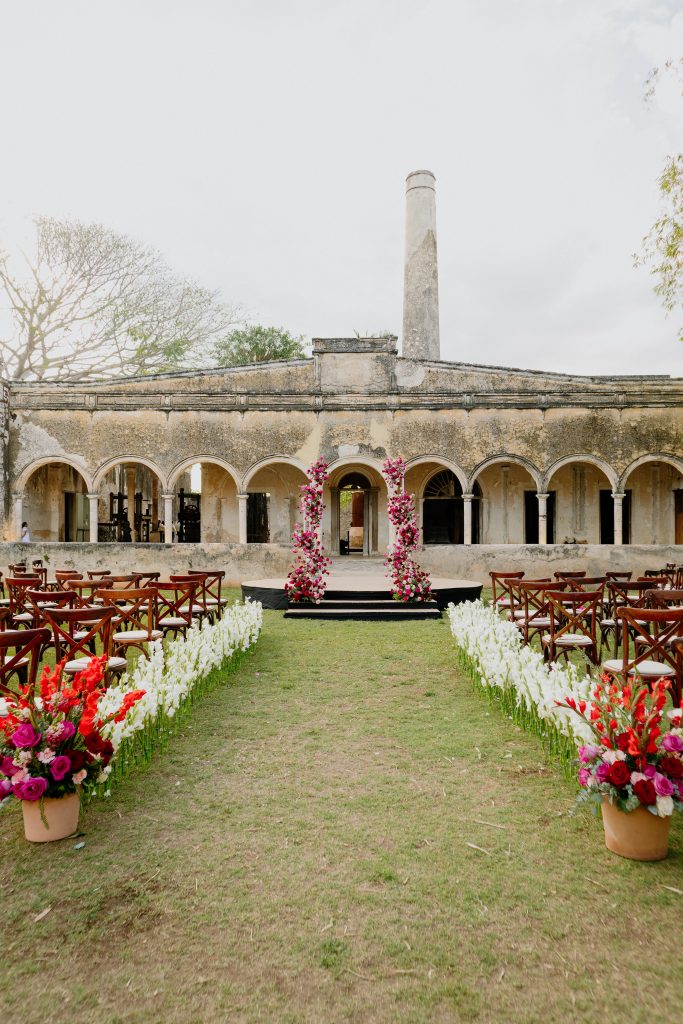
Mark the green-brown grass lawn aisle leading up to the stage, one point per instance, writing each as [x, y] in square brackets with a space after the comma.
[301, 854]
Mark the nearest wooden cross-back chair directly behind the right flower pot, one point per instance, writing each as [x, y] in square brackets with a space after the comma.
[654, 654]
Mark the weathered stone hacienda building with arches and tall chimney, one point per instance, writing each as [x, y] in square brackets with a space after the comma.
[508, 466]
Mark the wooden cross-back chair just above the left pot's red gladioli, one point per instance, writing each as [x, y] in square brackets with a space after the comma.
[80, 632]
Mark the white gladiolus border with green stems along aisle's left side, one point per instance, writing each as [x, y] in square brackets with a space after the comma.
[175, 675]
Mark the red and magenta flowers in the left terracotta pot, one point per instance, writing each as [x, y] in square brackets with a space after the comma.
[52, 736]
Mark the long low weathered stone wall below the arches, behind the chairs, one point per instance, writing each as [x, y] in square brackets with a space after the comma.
[255, 562]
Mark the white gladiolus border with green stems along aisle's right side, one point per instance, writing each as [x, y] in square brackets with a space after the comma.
[492, 652]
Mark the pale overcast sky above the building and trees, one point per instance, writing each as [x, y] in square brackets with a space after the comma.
[263, 147]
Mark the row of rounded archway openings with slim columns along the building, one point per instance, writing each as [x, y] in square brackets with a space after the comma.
[504, 500]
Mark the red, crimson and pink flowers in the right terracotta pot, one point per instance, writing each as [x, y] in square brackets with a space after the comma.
[637, 757]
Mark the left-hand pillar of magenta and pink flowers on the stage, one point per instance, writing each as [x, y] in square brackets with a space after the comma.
[306, 583]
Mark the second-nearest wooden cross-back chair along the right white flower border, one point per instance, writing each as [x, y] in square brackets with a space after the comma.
[574, 624]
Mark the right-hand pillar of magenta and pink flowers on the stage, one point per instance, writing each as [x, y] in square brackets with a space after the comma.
[409, 582]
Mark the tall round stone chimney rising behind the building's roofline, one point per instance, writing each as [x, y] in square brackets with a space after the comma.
[421, 274]
